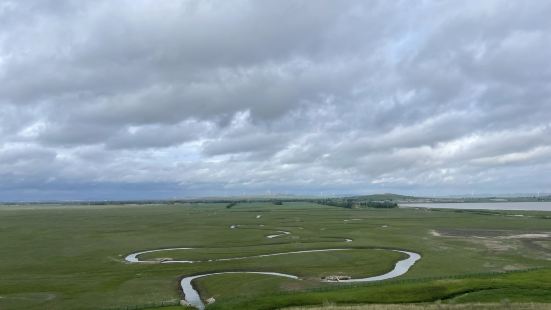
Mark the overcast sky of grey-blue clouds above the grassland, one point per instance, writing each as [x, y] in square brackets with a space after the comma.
[170, 99]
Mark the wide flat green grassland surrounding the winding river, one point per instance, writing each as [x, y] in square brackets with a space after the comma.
[72, 257]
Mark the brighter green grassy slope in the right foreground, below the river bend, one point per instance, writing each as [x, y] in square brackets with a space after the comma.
[529, 286]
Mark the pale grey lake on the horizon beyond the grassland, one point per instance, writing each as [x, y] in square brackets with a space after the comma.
[519, 206]
